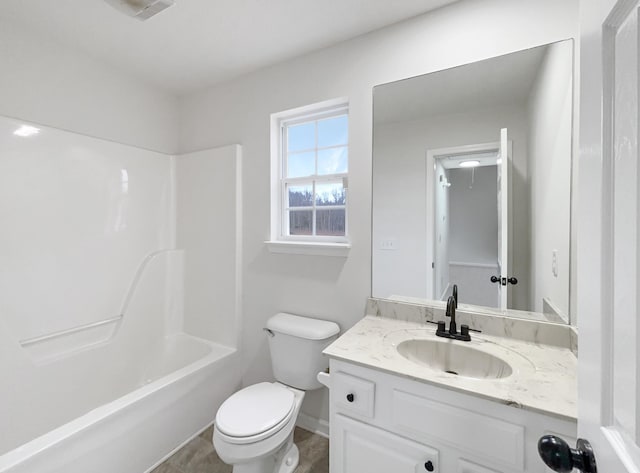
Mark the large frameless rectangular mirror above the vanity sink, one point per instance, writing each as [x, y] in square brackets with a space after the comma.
[472, 182]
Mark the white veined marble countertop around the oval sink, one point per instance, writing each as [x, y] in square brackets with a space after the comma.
[543, 378]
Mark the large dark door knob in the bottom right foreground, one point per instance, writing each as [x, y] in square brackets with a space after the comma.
[558, 456]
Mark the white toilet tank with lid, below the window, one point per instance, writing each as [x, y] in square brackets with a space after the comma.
[296, 345]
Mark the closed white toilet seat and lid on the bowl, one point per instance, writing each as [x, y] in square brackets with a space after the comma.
[255, 413]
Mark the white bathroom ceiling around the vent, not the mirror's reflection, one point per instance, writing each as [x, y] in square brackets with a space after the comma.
[197, 43]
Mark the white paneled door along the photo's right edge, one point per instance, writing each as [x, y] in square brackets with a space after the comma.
[609, 378]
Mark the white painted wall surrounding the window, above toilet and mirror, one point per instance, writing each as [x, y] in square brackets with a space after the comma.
[238, 112]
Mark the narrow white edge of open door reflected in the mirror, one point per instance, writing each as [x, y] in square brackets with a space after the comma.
[503, 220]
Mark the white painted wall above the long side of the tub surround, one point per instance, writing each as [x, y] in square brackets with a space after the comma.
[49, 84]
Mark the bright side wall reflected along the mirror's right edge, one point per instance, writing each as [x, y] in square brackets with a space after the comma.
[550, 121]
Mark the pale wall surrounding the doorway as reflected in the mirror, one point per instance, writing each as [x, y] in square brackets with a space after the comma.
[402, 193]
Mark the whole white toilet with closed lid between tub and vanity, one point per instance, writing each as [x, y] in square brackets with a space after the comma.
[254, 427]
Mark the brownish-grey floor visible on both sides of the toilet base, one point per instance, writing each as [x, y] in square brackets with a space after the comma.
[198, 456]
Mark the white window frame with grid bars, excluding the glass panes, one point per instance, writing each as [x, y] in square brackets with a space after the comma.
[280, 209]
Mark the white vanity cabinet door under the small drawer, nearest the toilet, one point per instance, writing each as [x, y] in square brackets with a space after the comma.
[360, 448]
